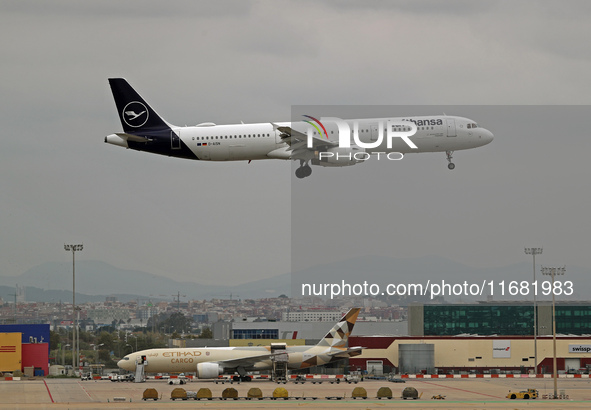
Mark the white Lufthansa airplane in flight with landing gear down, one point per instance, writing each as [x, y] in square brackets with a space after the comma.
[328, 142]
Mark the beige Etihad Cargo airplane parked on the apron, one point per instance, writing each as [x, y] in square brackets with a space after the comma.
[210, 362]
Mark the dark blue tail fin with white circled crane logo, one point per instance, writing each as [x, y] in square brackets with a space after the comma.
[134, 112]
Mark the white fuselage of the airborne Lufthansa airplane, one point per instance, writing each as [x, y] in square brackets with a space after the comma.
[244, 142]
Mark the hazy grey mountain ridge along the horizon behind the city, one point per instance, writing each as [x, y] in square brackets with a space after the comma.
[95, 280]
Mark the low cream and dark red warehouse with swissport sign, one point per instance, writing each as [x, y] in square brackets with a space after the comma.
[470, 354]
